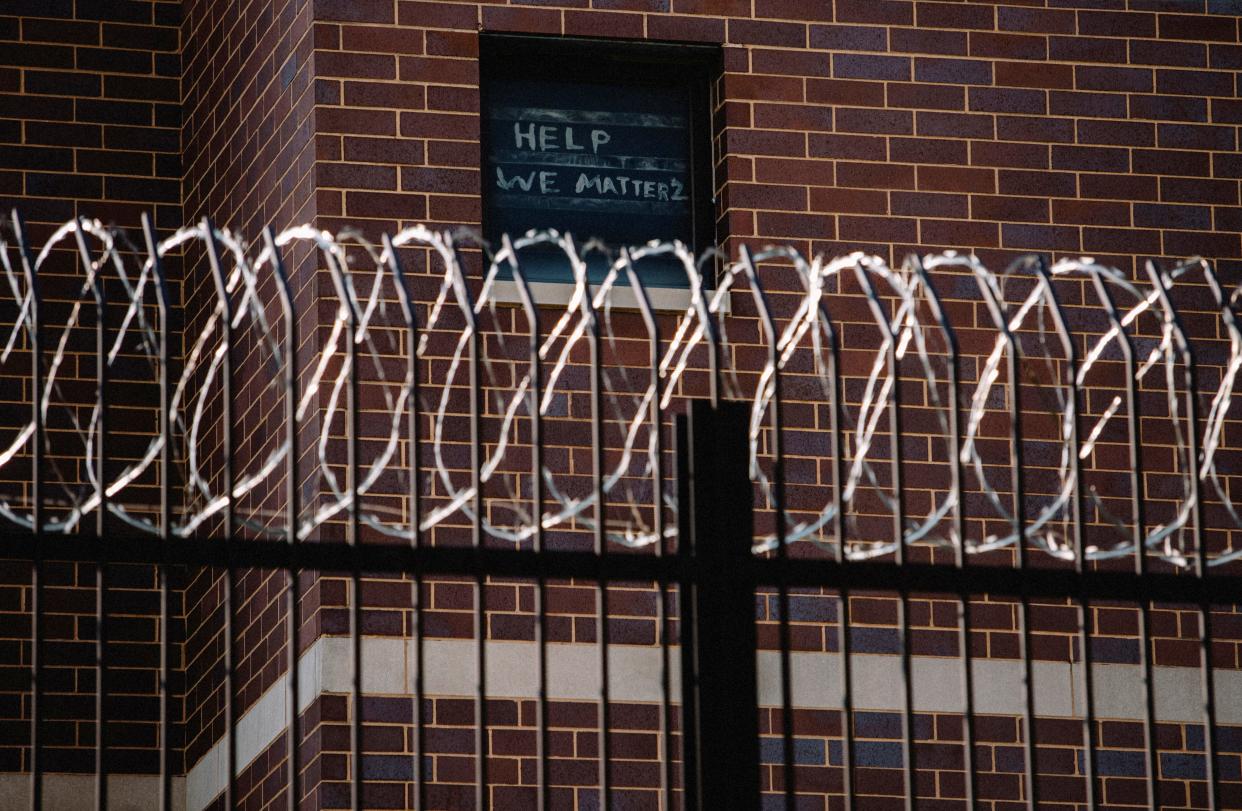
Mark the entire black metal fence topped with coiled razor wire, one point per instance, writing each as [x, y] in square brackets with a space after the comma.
[428, 428]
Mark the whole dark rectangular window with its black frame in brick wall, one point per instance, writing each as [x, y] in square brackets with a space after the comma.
[603, 140]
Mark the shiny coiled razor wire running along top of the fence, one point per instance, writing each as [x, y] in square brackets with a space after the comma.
[368, 280]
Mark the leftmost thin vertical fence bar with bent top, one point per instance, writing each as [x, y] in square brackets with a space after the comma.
[37, 496]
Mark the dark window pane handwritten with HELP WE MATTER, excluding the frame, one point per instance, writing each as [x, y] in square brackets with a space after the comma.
[608, 162]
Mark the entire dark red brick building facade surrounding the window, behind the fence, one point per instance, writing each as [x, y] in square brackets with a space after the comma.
[1064, 127]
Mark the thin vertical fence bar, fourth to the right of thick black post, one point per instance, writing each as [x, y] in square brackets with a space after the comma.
[959, 528]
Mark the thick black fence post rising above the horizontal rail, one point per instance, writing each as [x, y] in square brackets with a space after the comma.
[720, 681]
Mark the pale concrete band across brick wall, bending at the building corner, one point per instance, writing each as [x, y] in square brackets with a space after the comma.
[635, 676]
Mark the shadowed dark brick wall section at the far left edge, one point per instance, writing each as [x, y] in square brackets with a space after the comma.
[90, 117]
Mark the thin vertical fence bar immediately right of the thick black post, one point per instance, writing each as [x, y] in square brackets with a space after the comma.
[787, 681]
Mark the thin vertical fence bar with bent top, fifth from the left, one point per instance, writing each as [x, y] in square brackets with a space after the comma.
[292, 512]
